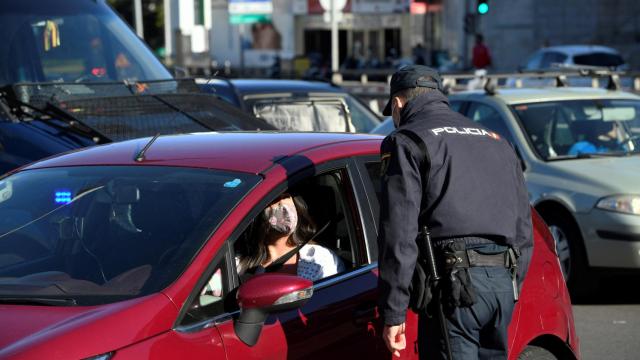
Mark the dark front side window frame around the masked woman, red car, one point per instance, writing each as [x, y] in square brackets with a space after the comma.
[232, 281]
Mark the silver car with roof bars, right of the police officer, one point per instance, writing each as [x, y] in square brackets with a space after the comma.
[589, 199]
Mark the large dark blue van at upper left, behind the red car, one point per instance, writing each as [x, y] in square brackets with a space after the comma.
[73, 74]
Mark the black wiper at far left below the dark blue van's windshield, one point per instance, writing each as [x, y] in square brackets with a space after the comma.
[52, 111]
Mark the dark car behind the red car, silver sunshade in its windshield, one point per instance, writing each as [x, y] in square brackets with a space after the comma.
[295, 104]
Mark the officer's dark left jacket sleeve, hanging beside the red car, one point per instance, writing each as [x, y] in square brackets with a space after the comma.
[399, 211]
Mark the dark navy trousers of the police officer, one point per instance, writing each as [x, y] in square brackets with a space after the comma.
[476, 332]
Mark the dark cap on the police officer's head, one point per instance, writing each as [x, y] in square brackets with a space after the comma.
[409, 77]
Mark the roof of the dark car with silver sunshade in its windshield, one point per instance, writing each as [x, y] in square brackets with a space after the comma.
[255, 86]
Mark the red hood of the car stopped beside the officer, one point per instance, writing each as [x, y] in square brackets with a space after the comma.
[45, 332]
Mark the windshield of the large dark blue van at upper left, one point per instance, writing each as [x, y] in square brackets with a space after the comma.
[71, 41]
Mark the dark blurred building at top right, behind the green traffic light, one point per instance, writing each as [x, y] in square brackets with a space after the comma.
[514, 29]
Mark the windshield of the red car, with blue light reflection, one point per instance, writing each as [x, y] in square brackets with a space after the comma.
[102, 234]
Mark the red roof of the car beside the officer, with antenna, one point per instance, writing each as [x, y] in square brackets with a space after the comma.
[251, 152]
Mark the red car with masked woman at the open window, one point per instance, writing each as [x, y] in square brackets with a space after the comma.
[126, 251]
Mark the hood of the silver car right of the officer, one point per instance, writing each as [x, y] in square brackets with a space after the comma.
[600, 176]
